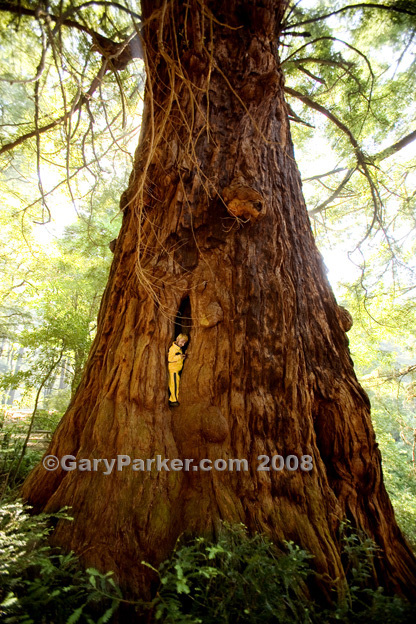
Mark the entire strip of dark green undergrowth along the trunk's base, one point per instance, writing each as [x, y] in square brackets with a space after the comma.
[234, 579]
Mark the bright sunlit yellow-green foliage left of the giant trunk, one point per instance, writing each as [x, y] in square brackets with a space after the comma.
[50, 292]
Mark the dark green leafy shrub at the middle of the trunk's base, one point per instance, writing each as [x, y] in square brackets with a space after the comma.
[236, 579]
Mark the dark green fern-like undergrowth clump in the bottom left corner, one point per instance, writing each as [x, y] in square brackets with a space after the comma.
[41, 585]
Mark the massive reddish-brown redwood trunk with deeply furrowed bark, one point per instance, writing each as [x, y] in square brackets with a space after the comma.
[215, 227]
